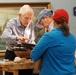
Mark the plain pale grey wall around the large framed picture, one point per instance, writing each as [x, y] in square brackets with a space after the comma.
[66, 4]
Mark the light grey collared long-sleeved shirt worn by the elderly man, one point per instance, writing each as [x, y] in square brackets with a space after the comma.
[14, 29]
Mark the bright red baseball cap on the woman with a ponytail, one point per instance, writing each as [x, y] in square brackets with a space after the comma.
[60, 13]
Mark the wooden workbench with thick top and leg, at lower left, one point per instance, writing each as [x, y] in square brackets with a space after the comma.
[14, 67]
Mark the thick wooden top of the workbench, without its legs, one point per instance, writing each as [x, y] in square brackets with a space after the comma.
[27, 64]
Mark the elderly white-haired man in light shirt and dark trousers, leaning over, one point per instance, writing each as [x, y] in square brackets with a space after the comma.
[18, 30]
